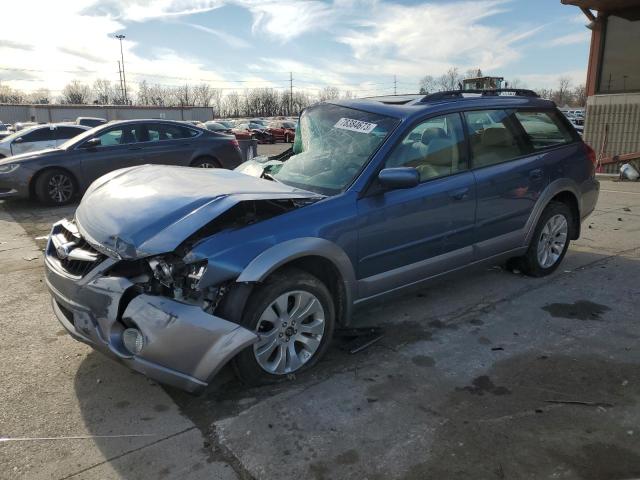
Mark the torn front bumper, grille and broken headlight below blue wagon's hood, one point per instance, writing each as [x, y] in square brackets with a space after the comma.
[148, 314]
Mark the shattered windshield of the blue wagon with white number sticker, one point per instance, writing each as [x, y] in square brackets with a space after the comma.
[332, 145]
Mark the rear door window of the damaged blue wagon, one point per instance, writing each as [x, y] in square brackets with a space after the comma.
[495, 137]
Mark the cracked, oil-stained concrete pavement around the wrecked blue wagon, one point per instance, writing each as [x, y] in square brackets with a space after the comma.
[489, 374]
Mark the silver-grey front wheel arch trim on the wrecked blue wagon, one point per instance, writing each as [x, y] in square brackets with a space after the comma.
[319, 257]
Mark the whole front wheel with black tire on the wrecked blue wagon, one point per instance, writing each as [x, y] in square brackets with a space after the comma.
[283, 350]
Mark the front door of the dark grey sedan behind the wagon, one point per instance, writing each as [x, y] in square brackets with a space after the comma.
[120, 147]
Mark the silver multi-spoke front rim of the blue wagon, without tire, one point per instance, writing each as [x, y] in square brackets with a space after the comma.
[290, 330]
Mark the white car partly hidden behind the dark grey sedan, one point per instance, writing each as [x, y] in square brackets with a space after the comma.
[40, 137]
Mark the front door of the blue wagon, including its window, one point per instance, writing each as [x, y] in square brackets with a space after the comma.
[411, 234]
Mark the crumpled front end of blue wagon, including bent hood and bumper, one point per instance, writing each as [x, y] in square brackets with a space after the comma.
[143, 296]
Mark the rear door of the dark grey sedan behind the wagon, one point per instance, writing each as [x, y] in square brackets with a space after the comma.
[169, 144]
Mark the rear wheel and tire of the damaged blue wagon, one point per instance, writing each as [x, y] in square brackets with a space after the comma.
[555, 223]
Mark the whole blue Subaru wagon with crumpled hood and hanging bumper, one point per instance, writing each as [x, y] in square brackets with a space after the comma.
[174, 272]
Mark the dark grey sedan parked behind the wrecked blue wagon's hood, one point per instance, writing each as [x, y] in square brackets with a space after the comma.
[57, 175]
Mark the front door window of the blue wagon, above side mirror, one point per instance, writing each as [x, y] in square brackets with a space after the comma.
[434, 147]
